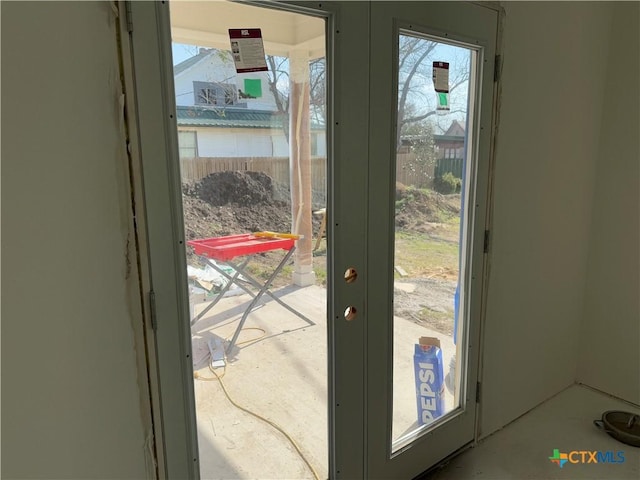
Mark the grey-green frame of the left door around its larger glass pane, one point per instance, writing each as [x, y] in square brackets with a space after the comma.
[152, 104]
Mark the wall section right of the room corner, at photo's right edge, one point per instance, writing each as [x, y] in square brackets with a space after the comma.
[610, 343]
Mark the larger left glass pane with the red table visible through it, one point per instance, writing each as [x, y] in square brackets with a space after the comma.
[253, 157]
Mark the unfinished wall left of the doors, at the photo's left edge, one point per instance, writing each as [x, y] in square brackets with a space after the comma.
[71, 404]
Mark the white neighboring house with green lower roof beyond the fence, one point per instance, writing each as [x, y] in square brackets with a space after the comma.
[221, 113]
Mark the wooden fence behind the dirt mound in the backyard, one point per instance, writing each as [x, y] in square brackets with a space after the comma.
[408, 171]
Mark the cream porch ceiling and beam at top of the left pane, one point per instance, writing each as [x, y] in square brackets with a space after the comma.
[206, 24]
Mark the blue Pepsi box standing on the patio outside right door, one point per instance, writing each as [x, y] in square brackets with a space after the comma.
[429, 372]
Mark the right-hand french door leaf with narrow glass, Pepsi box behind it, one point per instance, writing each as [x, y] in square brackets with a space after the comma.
[455, 106]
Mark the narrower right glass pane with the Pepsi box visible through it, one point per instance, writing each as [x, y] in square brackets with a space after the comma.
[435, 102]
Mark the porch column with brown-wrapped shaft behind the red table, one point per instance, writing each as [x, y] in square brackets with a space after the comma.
[300, 166]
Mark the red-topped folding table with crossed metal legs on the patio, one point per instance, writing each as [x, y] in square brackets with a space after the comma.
[223, 250]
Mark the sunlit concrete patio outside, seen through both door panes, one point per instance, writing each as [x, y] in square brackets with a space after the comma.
[282, 376]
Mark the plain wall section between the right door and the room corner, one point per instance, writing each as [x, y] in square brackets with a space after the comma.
[547, 146]
